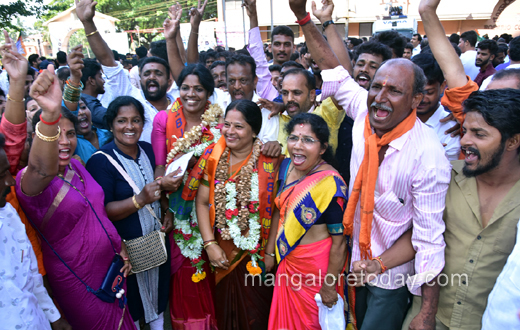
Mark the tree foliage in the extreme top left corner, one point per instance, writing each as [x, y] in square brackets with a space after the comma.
[19, 8]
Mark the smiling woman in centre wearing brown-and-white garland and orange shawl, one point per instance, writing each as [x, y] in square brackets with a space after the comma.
[238, 186]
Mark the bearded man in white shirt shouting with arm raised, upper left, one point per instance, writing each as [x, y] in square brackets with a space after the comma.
[154, 73]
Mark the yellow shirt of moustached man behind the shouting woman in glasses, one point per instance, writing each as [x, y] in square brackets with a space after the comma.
[329, 112]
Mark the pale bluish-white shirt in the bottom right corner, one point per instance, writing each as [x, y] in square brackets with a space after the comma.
[504, 300]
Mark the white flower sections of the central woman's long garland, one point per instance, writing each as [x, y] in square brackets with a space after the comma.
[251, 241]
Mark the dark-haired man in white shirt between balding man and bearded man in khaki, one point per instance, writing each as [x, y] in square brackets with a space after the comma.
[430, 111]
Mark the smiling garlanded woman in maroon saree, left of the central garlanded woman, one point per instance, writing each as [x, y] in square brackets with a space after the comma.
[189, 124]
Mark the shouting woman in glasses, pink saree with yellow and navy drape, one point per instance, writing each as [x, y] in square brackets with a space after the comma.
[308, 243]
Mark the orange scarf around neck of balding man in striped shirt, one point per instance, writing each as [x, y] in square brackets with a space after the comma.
[365, 182]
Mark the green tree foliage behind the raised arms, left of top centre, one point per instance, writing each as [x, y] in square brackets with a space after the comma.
[147, 14]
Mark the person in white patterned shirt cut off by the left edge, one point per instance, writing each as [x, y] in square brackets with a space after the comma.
[24, 301]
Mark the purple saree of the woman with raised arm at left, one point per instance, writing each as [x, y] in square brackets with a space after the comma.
[71, 227]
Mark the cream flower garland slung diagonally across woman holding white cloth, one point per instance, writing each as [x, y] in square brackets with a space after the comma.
[186, 142]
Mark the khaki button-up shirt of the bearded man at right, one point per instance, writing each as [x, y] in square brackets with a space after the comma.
[478, 252]
